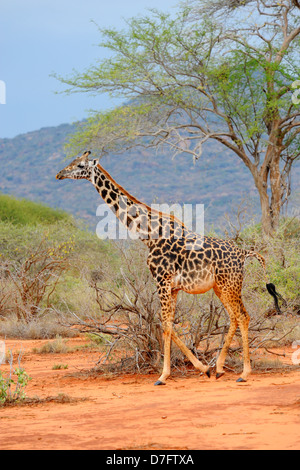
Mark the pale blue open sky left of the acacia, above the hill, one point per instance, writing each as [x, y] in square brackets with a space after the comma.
[42, 37]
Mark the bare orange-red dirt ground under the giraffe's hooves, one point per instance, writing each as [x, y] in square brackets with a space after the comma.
[129, 413]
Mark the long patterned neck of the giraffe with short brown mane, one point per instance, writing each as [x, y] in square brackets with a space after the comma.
[135, 215]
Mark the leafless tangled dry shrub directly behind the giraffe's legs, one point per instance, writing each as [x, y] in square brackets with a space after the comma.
[128, 324]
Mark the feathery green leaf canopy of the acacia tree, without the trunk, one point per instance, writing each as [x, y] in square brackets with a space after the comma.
[187, 66]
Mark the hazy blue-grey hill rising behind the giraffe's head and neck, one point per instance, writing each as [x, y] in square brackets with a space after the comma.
[218, 180]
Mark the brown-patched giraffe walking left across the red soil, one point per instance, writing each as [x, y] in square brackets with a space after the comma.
[179, 259]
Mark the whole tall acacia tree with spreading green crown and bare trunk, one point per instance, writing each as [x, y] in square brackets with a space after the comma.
[218, 69]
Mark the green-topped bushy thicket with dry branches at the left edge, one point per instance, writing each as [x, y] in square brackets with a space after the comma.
[45, 256]
